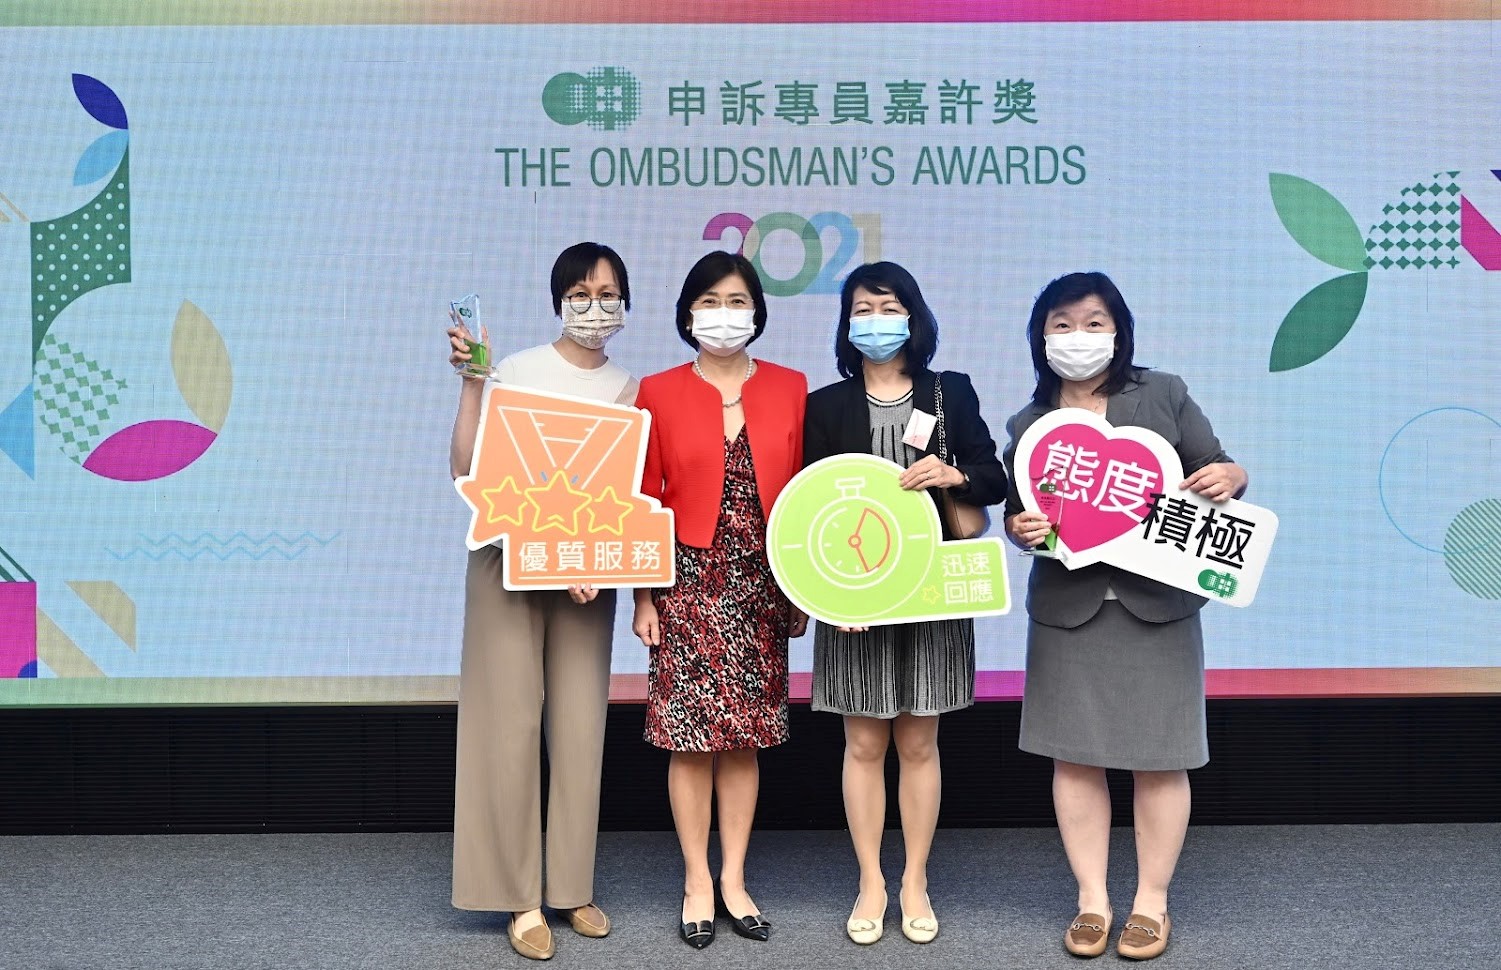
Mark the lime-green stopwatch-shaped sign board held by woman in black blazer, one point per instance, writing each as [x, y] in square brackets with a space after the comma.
[852, 547]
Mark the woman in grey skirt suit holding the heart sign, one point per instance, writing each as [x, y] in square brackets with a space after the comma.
[1114, 661]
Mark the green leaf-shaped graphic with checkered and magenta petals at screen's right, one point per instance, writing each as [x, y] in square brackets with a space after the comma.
[1425, 229]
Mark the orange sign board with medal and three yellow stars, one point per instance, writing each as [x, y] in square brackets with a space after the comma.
[556, 481]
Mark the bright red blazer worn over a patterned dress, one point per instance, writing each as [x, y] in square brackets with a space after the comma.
[687, 445]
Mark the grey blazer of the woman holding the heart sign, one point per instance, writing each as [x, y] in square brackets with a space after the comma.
[1059, 597]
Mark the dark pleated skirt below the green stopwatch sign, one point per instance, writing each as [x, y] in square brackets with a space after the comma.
[921, 669]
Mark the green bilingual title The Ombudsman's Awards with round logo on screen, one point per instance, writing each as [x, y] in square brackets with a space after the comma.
[801, 133]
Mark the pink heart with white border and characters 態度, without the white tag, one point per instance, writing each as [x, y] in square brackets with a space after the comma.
[1104, 478]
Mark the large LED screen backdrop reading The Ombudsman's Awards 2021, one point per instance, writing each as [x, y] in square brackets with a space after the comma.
[226, 253]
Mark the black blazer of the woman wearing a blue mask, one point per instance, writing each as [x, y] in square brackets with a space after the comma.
[838, 423]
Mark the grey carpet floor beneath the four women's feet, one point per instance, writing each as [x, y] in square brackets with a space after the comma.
[1311, 897]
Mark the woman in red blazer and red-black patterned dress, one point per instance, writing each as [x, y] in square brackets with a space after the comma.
[727, 436]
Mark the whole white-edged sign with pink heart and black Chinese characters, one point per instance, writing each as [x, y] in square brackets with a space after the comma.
[1113, 496]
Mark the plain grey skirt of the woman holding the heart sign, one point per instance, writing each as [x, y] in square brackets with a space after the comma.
[1117, 693]
